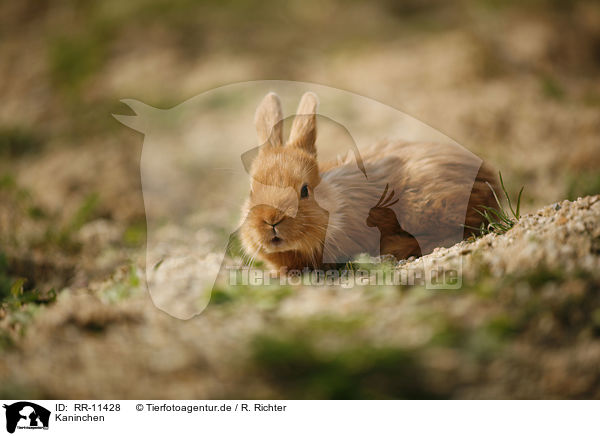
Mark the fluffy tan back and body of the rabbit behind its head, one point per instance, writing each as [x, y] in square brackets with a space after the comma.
[438, 187]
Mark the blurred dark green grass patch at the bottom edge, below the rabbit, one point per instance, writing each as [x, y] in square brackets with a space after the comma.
[357, 371]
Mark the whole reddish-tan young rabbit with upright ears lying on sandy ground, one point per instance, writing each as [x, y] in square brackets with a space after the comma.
[302, 214]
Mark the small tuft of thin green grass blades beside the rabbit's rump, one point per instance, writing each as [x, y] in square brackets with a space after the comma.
[499, 220]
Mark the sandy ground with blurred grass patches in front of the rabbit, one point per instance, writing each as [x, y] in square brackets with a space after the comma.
[527, 311]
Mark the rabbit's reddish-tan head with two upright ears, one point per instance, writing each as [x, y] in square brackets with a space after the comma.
[281, 213]
